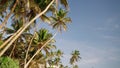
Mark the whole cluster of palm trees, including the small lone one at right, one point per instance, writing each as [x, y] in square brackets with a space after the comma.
[32, 48]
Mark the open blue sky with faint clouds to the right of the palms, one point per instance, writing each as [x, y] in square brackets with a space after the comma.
[95, 32]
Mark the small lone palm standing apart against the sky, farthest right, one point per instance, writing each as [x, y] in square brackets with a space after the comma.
[75, 57]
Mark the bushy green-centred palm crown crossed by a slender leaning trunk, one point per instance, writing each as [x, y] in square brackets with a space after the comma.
[41, 37]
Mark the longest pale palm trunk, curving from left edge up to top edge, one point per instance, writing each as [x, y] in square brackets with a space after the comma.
[28, 24]
